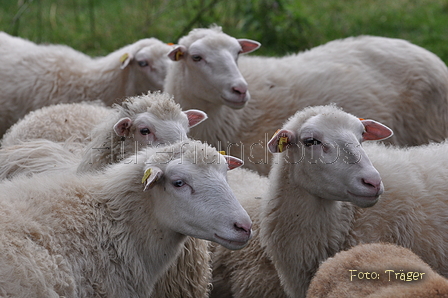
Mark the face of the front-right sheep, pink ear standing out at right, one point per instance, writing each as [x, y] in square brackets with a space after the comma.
[328, 159]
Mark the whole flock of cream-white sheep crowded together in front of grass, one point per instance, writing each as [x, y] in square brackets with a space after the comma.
[200, 170]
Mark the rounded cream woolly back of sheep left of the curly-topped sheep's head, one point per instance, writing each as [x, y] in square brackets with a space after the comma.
[57, 123]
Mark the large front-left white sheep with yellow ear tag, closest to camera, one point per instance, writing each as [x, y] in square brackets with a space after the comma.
[107, 234]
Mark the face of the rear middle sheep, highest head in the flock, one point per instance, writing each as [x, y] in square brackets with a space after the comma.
[211, 70]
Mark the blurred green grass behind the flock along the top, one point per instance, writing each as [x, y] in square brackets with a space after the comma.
[98, 27]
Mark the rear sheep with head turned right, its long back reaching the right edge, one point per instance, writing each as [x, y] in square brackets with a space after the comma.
[387, 79]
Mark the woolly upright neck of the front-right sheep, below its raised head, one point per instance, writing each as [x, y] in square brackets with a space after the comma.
[299, 229]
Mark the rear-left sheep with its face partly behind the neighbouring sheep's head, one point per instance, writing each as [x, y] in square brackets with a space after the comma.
[35, 75]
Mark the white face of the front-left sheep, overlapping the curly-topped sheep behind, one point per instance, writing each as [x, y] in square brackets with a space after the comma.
[196, 200]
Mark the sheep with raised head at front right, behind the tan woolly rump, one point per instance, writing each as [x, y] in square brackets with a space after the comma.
[319, 187]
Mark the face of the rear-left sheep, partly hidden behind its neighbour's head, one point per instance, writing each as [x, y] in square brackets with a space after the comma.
[148, 64]
